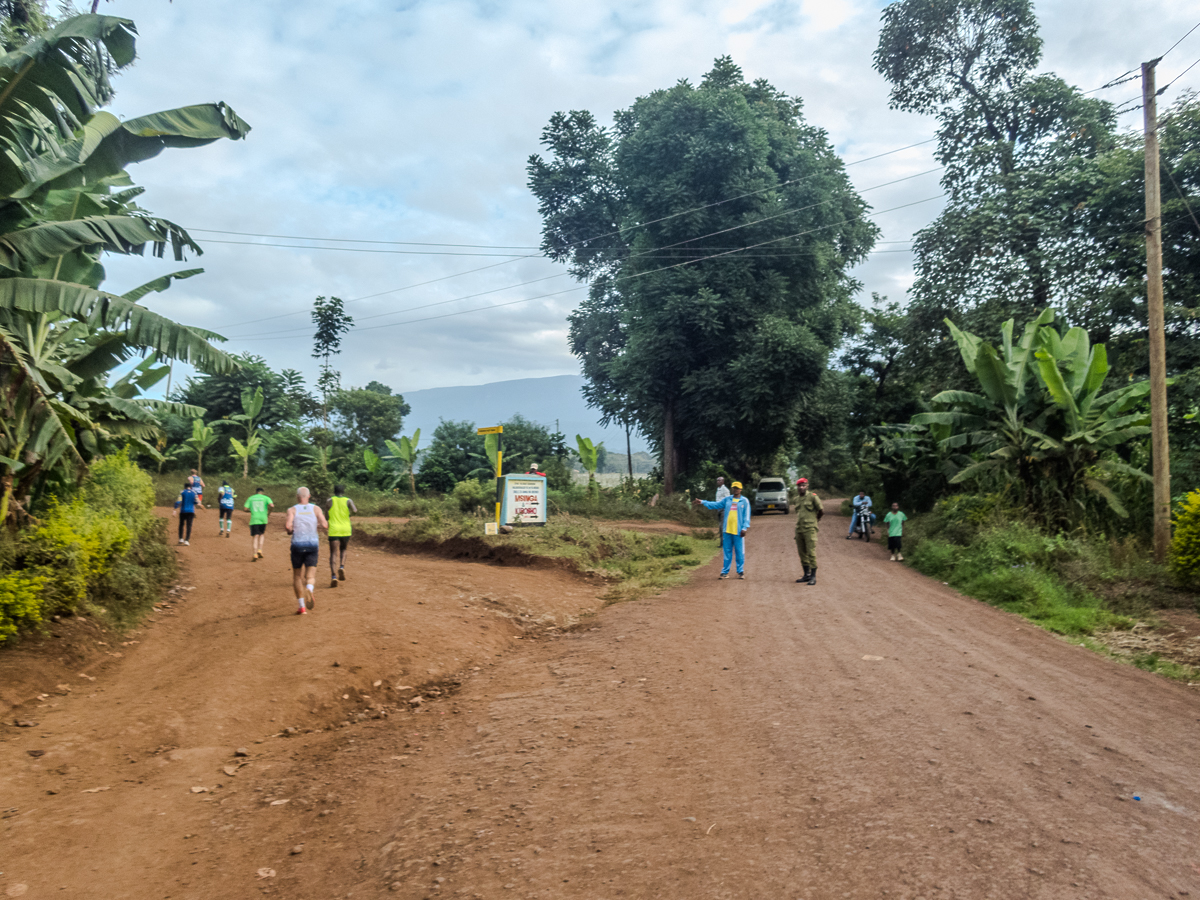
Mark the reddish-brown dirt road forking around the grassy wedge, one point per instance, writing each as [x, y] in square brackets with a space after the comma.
[875, 736]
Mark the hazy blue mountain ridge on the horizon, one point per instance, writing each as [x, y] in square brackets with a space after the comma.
[556, 399]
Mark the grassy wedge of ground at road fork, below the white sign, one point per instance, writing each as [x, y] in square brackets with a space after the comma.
[634, 565]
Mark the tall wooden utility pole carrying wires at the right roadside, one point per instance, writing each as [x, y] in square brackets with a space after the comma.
[1160, 446]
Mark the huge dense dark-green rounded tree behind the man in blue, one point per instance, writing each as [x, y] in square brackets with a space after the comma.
[717, 229]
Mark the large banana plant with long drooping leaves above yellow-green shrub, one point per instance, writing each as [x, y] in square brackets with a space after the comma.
[65, 200]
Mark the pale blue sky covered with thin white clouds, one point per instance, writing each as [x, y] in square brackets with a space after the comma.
[385, 133]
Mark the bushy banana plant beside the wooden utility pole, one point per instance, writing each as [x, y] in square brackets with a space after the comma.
[1041, 418]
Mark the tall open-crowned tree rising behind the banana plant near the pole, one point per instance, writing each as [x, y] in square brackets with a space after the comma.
[1022, 152]
